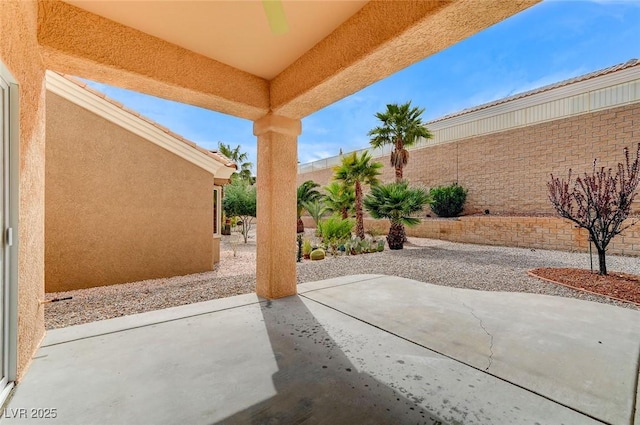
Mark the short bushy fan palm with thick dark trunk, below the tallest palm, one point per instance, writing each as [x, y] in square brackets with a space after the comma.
[398, 203]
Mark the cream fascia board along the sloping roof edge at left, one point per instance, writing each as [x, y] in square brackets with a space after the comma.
[107, 110]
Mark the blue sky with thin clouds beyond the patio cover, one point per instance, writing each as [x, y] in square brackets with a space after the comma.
[550, 42]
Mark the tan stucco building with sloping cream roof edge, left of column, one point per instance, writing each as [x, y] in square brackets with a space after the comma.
[125, 199]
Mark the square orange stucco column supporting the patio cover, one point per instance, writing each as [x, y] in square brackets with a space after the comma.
[276, 232]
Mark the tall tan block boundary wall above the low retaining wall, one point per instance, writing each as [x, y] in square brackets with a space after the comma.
[507, 172]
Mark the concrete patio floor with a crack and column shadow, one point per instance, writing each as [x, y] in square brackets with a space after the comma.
[364, 349]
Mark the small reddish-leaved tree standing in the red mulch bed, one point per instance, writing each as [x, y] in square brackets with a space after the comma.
[599, 202]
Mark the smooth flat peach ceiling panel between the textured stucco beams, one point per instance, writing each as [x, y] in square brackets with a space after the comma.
[236, 33]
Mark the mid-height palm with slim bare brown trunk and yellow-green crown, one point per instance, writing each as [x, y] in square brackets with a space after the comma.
[357, 171]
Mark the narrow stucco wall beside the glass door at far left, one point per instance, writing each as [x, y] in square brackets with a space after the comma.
[20, 54]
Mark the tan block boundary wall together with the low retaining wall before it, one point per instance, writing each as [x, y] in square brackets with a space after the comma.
[507, 173]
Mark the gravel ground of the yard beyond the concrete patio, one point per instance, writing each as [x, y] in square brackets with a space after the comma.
[487, 268]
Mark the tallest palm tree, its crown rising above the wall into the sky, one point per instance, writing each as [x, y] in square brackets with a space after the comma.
[401, 127]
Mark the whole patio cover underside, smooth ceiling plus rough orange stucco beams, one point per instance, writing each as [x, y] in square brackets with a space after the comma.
[222, 55]
